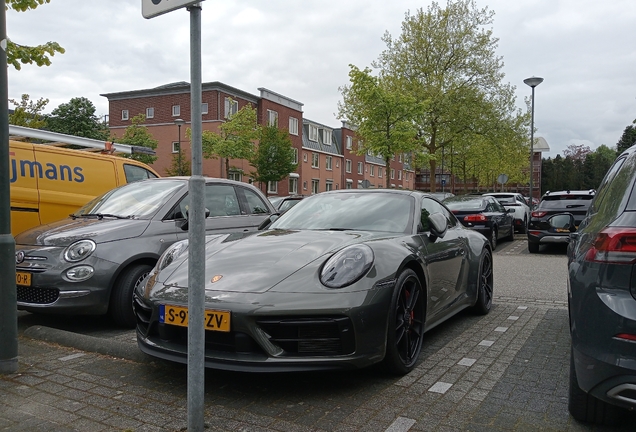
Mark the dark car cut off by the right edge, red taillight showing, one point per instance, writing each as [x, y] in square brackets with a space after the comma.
[602, 299]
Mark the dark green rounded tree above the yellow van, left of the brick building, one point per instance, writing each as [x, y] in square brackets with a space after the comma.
[77, 117]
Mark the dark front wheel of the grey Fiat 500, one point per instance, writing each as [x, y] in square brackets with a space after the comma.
[121, 309]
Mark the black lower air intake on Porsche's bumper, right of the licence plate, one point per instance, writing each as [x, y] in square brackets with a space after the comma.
[321, 336]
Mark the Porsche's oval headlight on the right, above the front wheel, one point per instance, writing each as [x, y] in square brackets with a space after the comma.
[346, 266]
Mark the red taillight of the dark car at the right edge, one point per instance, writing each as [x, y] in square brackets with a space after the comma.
[614, 245]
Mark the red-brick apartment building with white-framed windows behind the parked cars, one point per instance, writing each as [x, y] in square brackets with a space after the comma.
[326, 158]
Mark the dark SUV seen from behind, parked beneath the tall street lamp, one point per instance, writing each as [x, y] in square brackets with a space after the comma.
[540, 231]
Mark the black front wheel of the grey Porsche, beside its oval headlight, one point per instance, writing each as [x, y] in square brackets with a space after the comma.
[406, 324]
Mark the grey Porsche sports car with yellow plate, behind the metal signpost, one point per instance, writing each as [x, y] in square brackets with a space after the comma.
[344, 279]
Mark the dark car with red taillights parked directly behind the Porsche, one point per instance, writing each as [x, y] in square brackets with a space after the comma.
[484, 214]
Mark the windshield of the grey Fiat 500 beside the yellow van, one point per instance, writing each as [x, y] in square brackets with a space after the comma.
[134, 200]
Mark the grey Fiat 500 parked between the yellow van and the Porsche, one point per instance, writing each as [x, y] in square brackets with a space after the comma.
[90, 262]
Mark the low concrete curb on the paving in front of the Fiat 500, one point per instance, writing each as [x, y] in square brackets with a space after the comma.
[88, 343]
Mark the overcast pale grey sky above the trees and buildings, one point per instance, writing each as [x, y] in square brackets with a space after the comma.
[584, 49]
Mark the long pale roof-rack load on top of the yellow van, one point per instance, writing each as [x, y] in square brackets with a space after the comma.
[88, 143]
